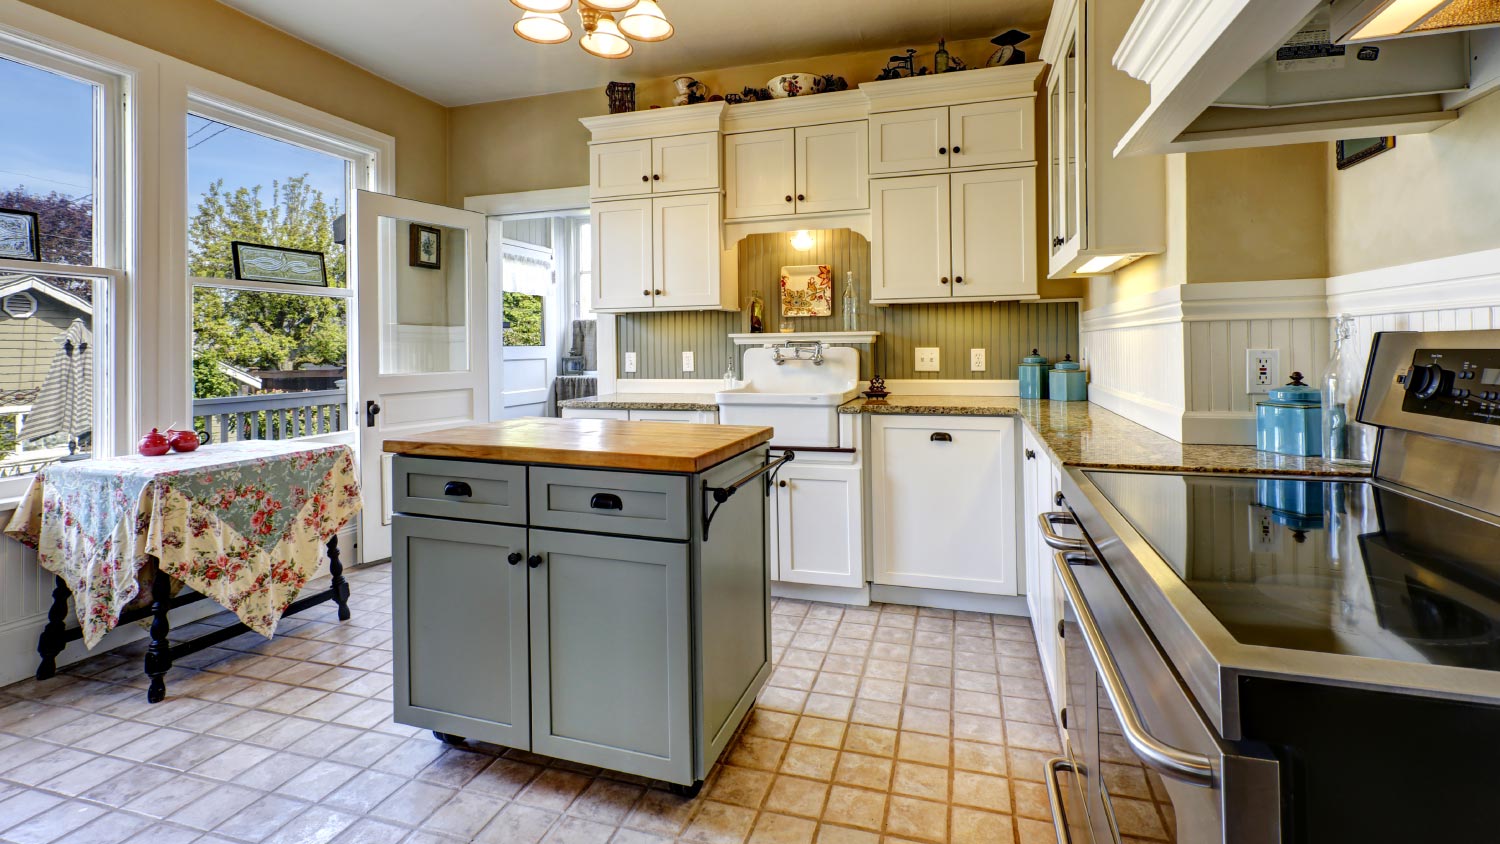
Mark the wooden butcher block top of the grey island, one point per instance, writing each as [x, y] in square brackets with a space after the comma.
[601, 444]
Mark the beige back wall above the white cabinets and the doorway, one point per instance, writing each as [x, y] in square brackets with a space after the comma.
[538, 143]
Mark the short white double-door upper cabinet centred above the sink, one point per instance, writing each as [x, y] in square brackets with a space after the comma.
[803, 170]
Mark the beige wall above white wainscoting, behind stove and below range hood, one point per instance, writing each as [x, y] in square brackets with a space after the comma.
[1432, 197]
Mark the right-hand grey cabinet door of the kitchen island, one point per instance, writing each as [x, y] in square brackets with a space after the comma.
[611, 648]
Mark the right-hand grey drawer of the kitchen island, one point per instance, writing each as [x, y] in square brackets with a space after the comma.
[610, 503]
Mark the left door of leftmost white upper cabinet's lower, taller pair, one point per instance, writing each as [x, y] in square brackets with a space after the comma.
[622, 232]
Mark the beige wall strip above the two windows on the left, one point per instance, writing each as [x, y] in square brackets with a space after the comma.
[236, 46]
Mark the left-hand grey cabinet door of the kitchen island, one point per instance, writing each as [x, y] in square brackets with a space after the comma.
[460, 599]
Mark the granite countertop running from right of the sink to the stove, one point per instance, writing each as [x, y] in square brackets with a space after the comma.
[1081, 434]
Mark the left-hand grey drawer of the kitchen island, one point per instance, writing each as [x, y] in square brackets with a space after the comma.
[460, 489]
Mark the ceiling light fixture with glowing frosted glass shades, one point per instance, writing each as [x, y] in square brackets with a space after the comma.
[604, 37]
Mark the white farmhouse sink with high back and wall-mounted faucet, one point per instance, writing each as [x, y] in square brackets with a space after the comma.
[797, 398]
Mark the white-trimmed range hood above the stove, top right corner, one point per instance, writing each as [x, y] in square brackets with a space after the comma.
[1232, 74]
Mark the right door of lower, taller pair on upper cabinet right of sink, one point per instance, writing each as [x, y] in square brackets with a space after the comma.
[995, 233]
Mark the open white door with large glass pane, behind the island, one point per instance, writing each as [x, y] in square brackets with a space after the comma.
[422, 343]
